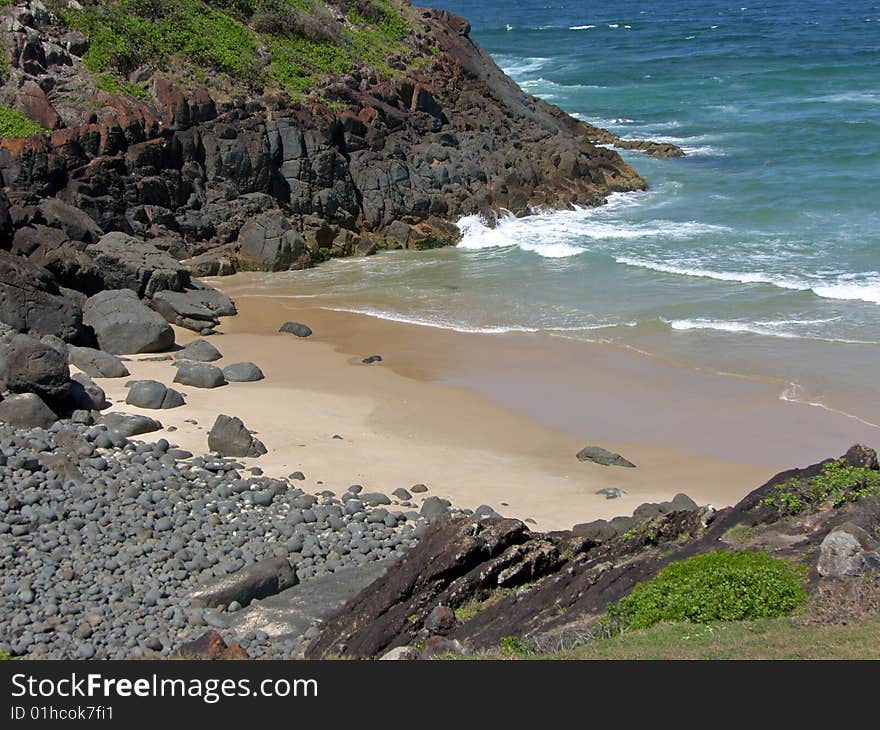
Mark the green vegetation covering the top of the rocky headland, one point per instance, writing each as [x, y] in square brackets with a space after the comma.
[265, 44]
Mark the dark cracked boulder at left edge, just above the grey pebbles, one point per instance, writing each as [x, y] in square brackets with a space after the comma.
[32, 366]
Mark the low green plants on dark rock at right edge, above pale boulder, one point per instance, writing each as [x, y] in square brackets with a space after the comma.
[839, 483]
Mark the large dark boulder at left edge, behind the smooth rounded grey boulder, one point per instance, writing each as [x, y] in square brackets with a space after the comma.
[32, 301]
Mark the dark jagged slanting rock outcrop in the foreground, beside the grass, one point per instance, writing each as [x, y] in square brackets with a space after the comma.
[471, 583]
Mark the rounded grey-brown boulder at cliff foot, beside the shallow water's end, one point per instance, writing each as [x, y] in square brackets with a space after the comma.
[269, 242]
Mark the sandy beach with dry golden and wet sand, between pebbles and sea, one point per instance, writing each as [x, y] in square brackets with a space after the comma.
[467, 415]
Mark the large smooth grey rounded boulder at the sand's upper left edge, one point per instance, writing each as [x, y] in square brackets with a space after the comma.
[123, 324]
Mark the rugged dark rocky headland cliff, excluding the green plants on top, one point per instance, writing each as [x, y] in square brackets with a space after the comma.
[370, 158]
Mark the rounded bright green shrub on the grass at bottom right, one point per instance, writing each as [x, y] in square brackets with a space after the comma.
[716, 586]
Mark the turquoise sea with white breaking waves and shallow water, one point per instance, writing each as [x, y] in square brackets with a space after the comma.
[757, 254]
